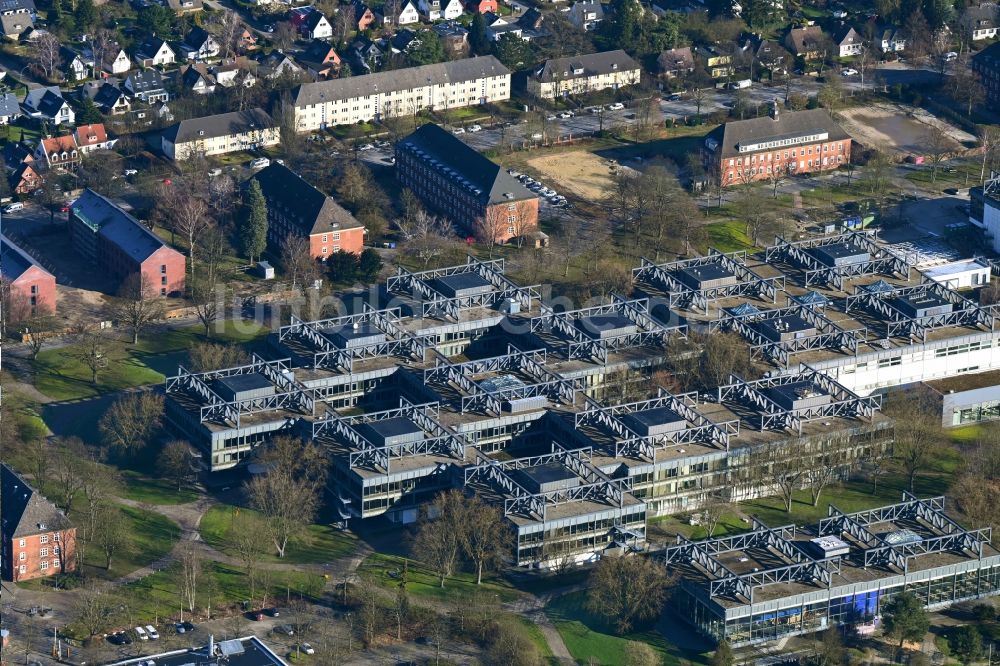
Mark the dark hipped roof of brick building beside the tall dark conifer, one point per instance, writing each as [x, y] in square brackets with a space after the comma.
[313, 211]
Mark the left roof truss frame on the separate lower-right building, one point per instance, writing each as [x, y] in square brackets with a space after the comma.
[724, 582]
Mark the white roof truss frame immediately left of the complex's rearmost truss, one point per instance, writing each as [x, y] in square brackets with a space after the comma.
[681, 295]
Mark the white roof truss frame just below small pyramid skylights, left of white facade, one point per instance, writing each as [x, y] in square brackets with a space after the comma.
[829, 335]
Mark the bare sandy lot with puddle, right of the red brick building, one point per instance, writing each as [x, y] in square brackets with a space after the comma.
[902, 129]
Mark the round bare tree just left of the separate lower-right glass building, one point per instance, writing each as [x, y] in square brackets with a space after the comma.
[626, 590]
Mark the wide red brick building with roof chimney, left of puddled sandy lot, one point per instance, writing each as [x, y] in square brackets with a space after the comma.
[745, 151]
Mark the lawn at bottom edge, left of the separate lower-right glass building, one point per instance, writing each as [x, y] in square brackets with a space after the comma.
[590, 642]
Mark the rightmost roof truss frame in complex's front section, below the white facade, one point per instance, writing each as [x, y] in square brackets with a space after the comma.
[843, 402]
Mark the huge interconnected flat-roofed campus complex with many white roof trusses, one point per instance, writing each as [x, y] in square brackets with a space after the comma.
[459, 378]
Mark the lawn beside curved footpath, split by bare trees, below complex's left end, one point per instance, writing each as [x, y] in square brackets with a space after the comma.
[321, 543]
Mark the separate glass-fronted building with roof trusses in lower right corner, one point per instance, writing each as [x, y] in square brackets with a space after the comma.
[770, 583]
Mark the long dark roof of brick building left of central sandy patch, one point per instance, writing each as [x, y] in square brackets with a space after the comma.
[485, 175]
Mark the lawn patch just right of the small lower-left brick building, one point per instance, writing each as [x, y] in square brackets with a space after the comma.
[153, 536]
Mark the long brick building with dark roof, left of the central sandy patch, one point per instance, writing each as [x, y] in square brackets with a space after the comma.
[461, 184]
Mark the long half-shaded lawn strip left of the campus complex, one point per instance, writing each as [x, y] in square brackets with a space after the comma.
[62, 377]
